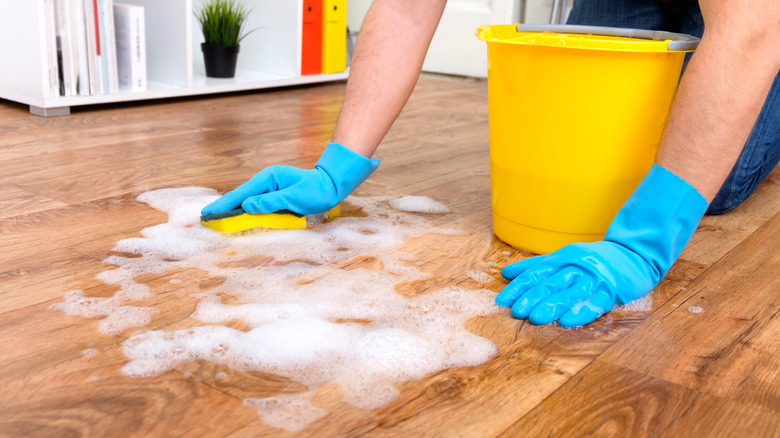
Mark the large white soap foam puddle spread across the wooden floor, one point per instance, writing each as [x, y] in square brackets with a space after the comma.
[306, 314]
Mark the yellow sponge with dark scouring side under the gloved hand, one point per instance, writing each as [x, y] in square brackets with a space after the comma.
[237, 220]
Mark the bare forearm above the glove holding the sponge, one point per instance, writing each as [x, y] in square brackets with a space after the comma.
[394, 38]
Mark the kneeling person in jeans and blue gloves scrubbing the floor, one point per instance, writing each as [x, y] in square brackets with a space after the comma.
[721, 140]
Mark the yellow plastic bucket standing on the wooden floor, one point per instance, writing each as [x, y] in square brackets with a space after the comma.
[576, 115]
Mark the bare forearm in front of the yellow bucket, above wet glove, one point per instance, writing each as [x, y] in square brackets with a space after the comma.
[722, 91]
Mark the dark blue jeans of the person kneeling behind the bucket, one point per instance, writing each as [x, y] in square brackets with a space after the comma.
[761, 152]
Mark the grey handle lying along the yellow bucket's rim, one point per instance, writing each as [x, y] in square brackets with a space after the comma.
[678, 42]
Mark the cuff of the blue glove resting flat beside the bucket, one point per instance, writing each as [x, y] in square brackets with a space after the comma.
[658, 219]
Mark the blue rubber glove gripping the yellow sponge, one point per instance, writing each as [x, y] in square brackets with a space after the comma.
[338, 172]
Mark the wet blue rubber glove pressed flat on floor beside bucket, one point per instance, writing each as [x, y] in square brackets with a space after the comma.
[582, 281]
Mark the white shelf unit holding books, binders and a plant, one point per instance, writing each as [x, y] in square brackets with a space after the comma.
[269, 57]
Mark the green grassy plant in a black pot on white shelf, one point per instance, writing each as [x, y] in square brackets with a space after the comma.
[222, 23]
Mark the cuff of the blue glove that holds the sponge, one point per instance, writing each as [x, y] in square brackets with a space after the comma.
[347, 168]
